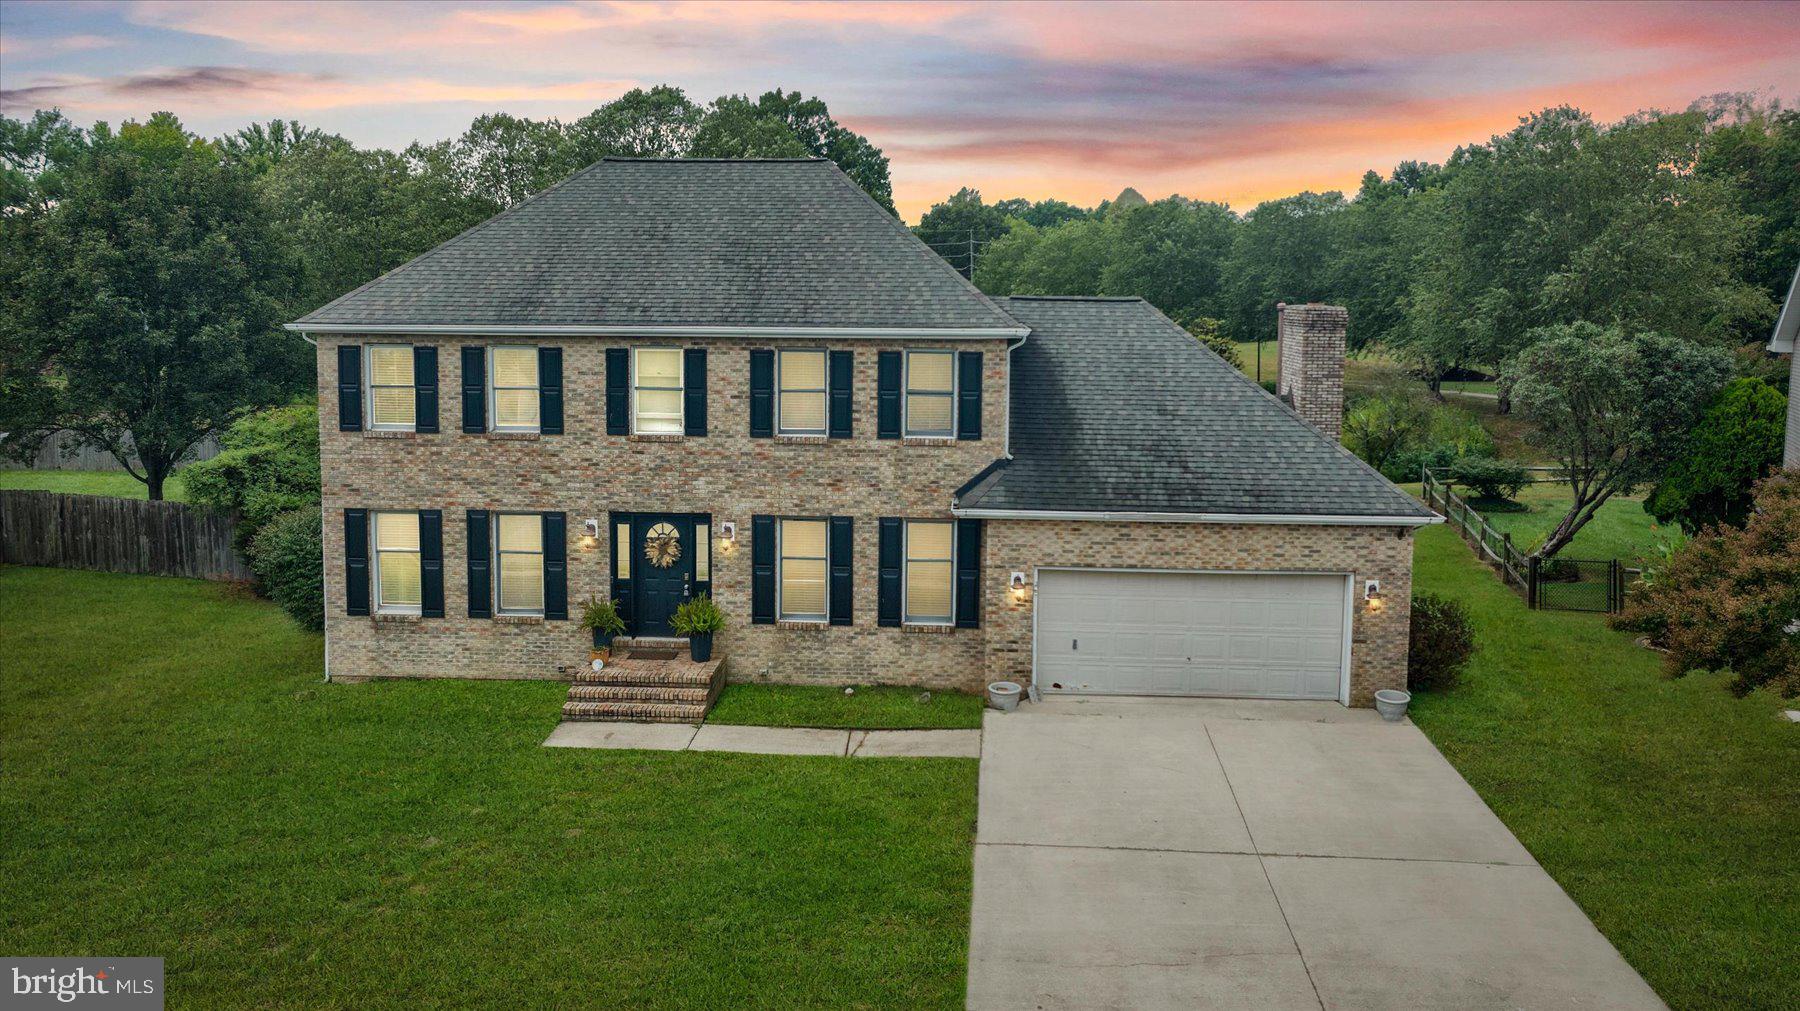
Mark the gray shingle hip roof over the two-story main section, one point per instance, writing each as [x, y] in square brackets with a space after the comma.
[762, 244]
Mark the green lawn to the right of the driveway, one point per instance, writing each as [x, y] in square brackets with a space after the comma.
[1668, 809]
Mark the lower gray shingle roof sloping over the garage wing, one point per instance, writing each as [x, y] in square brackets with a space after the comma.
[1119, 409]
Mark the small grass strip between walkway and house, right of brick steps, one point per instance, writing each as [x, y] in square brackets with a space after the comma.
[867, 710]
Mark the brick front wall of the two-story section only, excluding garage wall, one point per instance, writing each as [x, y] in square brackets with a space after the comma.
[589, 474]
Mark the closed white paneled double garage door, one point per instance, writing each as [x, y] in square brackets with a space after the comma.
[1191, 634]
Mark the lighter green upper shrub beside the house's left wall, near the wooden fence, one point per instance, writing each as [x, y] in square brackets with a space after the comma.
[267, 467]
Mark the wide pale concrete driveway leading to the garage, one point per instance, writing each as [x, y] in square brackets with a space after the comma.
[1198, 854]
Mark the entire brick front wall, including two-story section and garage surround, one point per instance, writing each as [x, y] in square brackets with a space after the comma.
[732, 478]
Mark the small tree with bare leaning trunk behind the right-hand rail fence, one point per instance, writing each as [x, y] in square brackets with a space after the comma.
[1612, 407]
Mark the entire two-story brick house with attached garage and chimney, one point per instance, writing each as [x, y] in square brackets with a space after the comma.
[674, 377]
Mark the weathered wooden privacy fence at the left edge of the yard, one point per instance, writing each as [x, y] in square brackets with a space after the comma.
[118, 535]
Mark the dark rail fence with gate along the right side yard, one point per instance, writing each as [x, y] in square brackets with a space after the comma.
[1551, 584]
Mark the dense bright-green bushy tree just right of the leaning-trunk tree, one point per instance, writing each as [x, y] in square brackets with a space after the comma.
[1732, 447]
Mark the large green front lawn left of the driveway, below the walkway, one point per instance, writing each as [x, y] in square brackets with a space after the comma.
[177, 782]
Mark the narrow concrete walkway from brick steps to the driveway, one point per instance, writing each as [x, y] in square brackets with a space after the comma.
[766, 740]
